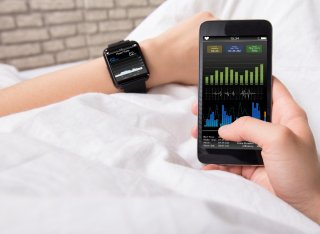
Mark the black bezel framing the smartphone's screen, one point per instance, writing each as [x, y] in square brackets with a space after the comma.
[233, 28]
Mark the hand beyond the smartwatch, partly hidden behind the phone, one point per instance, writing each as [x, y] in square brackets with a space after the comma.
[173, 55]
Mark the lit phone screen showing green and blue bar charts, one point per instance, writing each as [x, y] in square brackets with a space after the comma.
[233, 85]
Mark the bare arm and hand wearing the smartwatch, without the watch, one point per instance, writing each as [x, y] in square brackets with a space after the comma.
[171, 57]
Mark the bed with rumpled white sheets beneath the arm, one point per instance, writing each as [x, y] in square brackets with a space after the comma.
[126, 163]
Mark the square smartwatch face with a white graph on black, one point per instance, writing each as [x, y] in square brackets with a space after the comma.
[126, 63]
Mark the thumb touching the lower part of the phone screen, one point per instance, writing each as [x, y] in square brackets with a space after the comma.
[250, 129]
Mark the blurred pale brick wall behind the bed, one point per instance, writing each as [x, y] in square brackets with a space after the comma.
[37, 33]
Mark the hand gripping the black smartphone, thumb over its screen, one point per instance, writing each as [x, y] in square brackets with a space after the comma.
[291, 166]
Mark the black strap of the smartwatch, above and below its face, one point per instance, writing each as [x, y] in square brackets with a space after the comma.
[135, 86]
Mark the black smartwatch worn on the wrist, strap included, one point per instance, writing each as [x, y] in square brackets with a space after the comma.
[127, 66]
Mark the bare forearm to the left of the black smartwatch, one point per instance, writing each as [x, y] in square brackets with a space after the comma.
[54, 87]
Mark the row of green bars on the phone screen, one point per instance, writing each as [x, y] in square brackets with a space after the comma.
[231, 76]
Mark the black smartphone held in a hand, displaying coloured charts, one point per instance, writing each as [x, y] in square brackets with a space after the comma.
[234, 81]
